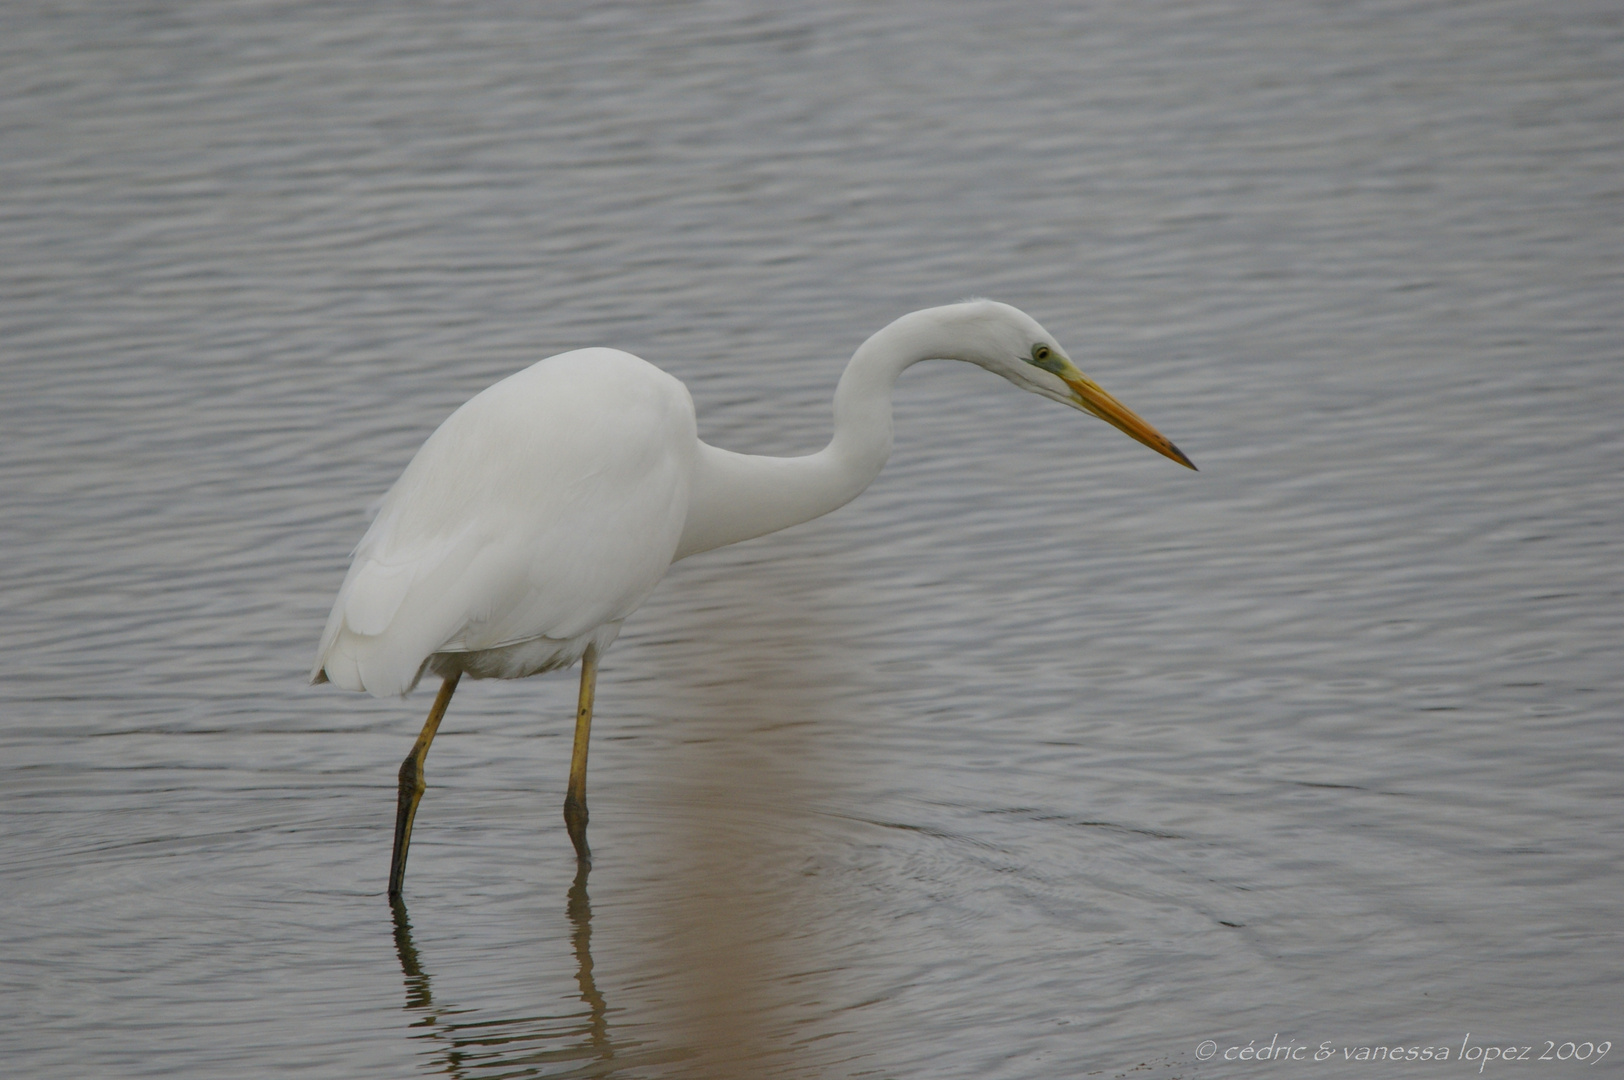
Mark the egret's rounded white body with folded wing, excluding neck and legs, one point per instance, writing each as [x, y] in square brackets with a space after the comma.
[548, 506]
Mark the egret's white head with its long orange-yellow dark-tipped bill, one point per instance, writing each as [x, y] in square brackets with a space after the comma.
[1011, 343]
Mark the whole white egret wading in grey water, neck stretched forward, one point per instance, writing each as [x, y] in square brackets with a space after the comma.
[546, 509]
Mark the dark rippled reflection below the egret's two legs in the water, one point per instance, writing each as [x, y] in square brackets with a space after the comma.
[464, 1045]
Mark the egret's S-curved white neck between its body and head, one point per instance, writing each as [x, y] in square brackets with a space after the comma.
[740, 496]
